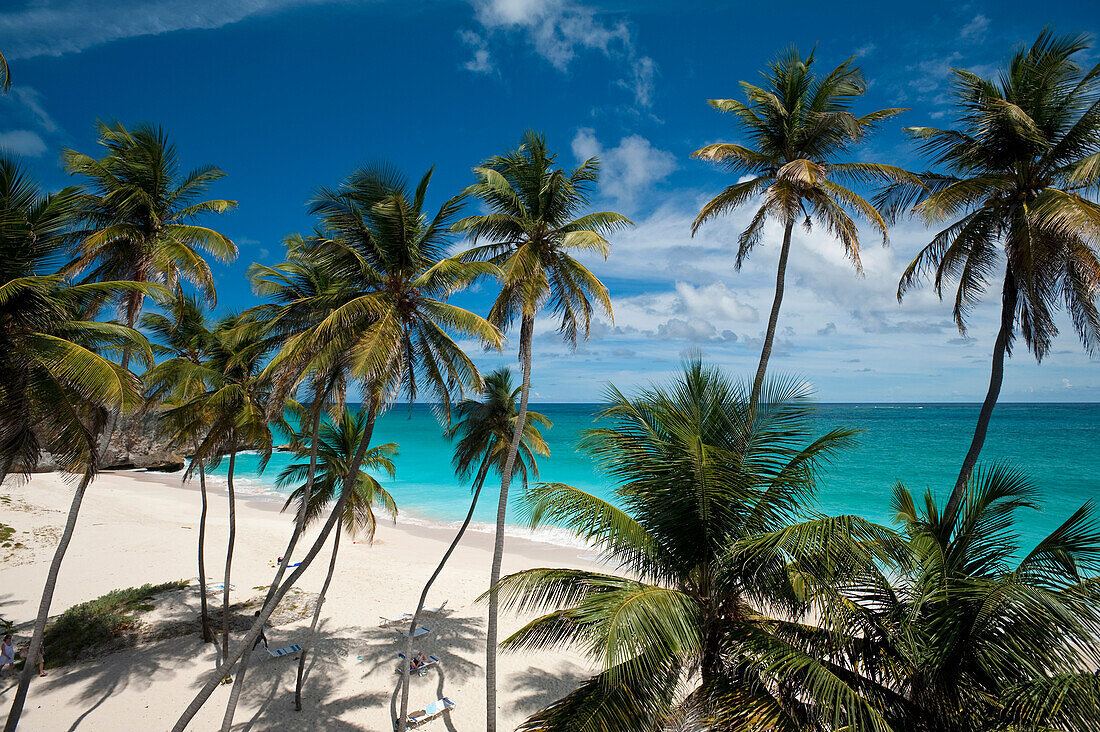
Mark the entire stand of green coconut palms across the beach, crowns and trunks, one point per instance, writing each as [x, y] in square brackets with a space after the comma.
[736, 607]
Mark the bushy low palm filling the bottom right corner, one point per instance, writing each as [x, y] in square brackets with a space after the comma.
[973, 635]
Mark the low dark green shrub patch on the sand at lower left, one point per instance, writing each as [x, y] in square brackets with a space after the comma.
[85, 629]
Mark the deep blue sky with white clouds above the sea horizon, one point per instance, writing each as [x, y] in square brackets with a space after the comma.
[288, 95]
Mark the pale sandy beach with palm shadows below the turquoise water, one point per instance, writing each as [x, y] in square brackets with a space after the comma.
[137, 529]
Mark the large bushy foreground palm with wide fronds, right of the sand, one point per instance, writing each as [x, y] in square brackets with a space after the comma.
[721, 562]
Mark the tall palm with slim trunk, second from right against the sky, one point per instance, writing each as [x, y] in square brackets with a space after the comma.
[799, 124]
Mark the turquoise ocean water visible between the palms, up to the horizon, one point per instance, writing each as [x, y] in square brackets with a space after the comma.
[921, 445]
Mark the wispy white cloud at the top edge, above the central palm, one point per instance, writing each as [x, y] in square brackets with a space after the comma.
[560, 29]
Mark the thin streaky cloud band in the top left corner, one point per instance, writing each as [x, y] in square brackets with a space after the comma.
[59, 27]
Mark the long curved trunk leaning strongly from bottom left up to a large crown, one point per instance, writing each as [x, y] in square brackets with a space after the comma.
[245, 650]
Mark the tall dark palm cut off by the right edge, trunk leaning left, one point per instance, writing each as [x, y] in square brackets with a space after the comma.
[1018, 176]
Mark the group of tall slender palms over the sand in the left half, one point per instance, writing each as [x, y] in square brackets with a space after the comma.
[364, 300]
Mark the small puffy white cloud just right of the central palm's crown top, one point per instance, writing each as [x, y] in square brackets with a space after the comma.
[628, 170]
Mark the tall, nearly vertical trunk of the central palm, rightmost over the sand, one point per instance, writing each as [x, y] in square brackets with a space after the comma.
[526, 334]
